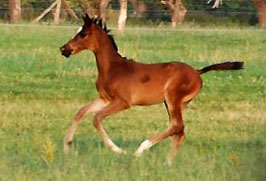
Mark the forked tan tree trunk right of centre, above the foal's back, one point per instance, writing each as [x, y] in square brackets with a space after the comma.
[177, 11]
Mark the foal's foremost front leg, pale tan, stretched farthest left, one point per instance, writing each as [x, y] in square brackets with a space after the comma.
[92, 107]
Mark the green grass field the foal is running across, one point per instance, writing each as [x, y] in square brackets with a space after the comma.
[40, 92]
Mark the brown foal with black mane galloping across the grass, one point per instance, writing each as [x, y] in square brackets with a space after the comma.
[122, 83]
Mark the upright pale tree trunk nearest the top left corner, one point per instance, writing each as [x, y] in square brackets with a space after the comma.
[14, 10]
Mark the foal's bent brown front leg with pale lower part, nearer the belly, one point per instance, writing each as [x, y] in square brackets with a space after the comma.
[114, 107]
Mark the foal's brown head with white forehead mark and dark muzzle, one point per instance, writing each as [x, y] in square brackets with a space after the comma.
[86, 37]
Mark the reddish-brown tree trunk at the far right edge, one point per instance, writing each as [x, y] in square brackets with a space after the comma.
[261, 11]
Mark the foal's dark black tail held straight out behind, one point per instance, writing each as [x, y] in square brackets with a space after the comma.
[222, 66]
